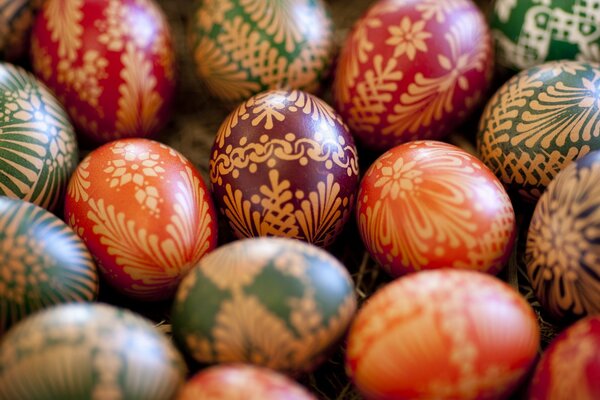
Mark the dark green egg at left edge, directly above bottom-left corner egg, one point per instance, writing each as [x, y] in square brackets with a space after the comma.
[42, 262]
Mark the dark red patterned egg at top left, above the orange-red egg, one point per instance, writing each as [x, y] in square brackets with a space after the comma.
[111, 62]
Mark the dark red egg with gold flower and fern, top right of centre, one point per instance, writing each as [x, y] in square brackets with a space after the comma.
[412, 70]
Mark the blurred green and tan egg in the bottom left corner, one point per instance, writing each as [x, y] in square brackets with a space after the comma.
[88, 351]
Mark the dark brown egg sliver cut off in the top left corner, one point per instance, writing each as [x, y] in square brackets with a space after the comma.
[16, 19]
